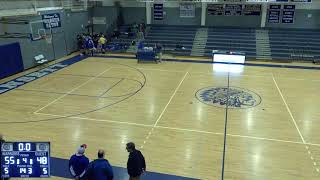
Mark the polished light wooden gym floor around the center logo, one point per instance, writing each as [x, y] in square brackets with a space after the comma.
[106, 103]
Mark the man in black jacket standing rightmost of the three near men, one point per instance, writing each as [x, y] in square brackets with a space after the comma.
[136, 164]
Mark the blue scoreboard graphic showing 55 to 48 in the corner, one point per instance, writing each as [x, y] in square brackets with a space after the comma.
[25, 159]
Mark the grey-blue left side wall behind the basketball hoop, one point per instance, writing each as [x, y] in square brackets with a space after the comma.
[63, 38]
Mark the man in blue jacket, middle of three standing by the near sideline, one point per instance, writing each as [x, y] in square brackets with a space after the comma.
[99, 169]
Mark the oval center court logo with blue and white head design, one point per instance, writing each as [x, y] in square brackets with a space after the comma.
[238, 97]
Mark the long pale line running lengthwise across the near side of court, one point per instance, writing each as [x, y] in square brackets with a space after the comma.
[178, 129]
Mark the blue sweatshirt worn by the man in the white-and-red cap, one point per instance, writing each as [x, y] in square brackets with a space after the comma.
[78, 164]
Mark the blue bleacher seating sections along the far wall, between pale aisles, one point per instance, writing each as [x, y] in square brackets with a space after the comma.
[285, 44]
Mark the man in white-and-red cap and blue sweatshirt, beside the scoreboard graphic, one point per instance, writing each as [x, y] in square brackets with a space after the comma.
[78, 163]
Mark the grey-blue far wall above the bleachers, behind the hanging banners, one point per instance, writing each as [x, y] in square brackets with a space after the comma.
[307, 16]
